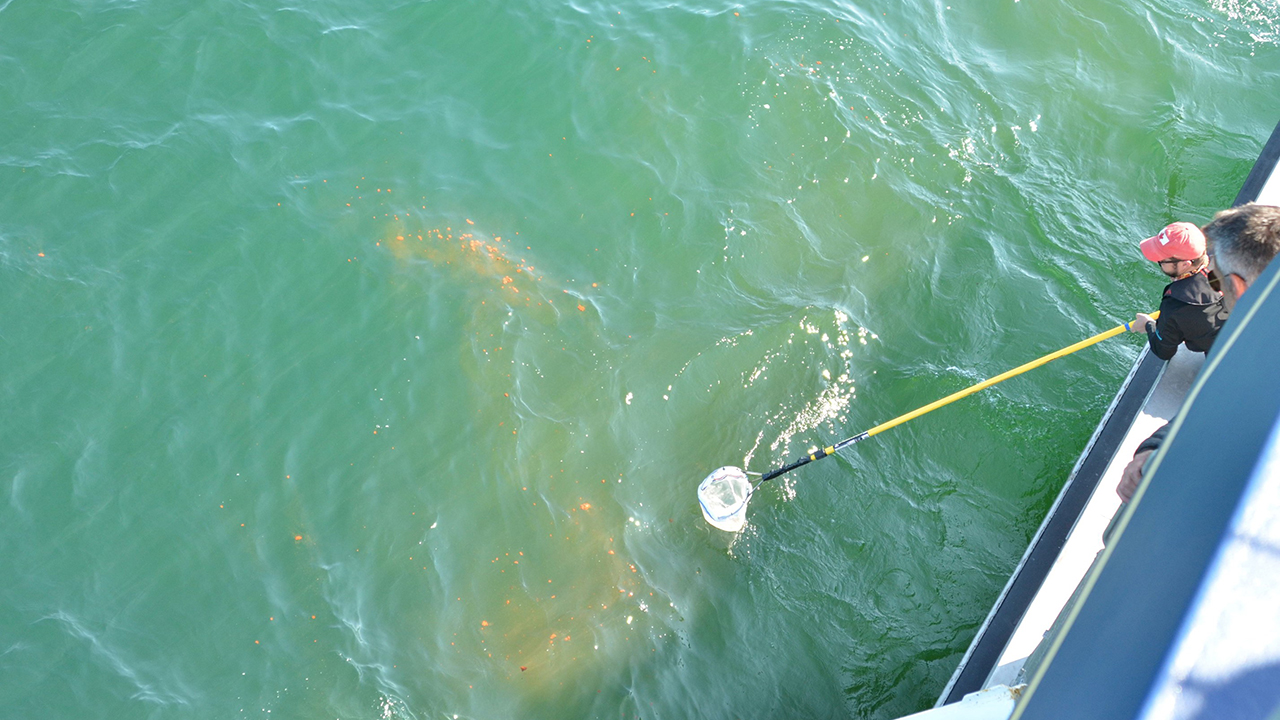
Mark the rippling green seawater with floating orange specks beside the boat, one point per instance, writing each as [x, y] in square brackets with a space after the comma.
[362, 359]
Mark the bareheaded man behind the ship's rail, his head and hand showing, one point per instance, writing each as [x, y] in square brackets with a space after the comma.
[1242, 241]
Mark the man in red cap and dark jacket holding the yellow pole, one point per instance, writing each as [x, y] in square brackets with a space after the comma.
[1191, 311]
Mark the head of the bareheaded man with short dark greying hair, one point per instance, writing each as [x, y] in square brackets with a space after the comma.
[1242, 241]
